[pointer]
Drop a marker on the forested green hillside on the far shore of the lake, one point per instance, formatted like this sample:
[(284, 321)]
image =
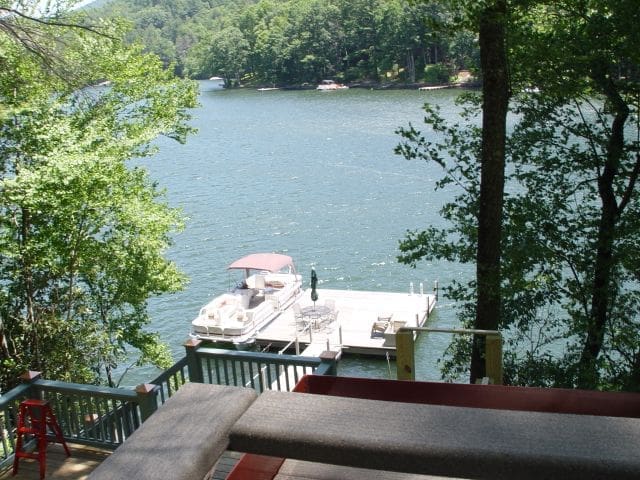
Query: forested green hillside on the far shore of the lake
[(291, 42)]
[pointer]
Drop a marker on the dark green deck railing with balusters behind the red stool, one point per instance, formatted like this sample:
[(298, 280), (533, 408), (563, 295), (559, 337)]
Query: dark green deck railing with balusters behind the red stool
[(105, 417)]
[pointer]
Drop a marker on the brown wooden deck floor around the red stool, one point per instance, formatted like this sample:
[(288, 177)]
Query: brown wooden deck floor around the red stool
[(83, 461)]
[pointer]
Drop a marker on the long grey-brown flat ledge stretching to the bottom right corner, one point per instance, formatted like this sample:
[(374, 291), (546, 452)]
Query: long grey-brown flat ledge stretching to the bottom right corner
[(441, 440)]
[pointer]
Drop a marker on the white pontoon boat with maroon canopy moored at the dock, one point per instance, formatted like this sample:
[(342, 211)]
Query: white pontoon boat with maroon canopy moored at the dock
[(270, 284)]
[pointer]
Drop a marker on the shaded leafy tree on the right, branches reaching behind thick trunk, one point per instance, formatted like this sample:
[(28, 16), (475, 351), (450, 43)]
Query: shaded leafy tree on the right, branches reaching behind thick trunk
[(570, 295)]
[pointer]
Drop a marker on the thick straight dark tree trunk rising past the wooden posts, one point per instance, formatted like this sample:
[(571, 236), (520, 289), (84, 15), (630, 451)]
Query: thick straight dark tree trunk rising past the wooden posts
[(495, 93)]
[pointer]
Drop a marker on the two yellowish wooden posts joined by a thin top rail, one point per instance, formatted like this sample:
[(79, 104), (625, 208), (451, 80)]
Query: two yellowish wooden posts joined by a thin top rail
[(405, 348)]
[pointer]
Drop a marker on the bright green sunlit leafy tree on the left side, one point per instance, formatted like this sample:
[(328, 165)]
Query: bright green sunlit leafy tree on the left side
[(81, 234)]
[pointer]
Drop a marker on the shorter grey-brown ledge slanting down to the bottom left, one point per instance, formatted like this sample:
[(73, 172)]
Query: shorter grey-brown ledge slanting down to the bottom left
[(183, 439)]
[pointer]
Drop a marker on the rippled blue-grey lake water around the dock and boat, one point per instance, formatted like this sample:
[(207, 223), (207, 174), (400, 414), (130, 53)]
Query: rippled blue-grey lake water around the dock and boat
[(307, 173)]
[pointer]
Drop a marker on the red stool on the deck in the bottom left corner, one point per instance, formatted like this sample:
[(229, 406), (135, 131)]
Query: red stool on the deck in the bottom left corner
[(33, 419)]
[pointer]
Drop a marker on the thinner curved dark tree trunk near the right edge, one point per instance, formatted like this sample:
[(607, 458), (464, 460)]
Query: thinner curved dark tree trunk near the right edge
[(601, 289)]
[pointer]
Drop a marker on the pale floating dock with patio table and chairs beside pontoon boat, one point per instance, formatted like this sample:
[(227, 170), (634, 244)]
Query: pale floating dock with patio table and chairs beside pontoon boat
[(365, 324)]
